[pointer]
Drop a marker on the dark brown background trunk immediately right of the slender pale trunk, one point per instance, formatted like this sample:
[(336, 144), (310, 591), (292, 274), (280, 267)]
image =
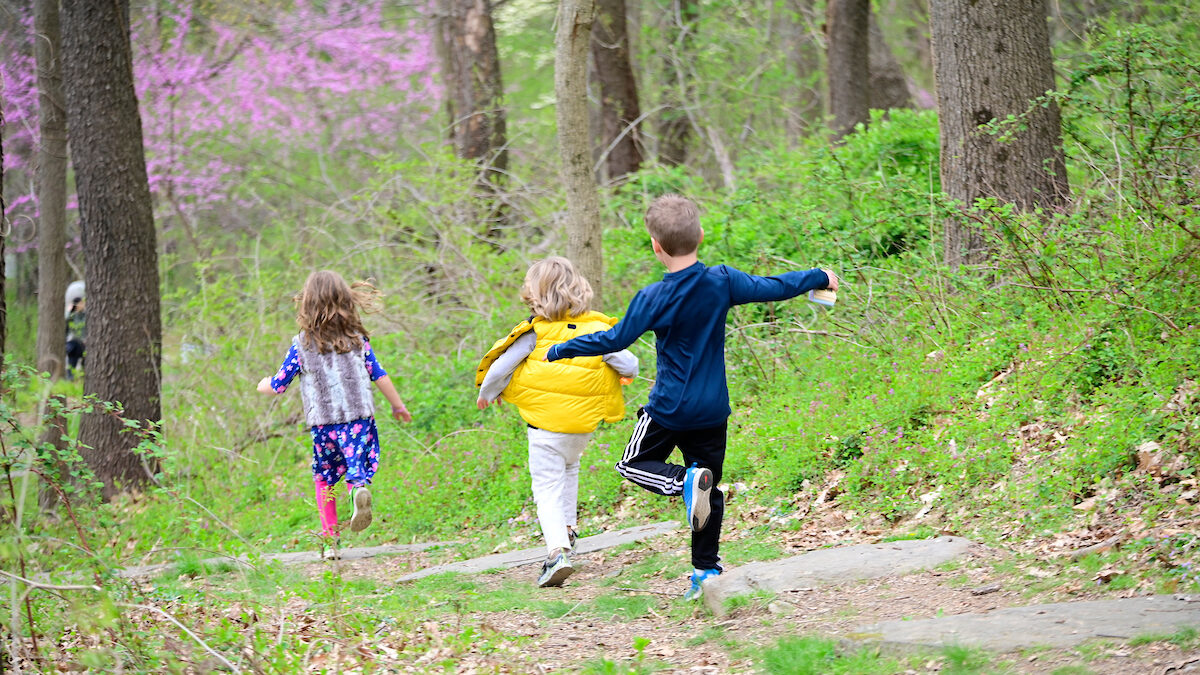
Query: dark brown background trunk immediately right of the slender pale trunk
[(619, 91)]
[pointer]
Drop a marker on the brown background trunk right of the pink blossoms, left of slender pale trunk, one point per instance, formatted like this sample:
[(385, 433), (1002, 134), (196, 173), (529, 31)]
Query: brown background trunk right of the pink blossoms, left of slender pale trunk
[(471, 68)]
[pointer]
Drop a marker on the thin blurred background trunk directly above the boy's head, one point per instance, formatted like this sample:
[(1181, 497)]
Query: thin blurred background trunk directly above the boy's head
[(675, 128)]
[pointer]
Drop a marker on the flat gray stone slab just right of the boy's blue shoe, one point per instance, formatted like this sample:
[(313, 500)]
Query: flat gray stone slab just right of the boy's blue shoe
[(832, 566)]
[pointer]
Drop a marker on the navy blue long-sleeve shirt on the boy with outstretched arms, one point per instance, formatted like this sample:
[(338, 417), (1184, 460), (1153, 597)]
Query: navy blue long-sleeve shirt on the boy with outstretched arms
[(687, 313)]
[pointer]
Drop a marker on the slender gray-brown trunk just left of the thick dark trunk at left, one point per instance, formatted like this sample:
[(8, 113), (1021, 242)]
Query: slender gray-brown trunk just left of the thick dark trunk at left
[(52, 192)]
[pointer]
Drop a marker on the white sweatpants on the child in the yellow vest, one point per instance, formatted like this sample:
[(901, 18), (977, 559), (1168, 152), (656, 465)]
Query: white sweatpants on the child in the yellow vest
[(555, 470)]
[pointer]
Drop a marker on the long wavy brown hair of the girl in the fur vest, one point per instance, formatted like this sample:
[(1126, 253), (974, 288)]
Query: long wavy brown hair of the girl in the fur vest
[(328, 312)]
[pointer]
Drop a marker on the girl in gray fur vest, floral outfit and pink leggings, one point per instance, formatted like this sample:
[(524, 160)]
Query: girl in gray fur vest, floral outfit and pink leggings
[(337, 366)]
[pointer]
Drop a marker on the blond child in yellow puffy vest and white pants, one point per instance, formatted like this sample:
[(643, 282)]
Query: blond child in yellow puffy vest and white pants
[(561, 402)]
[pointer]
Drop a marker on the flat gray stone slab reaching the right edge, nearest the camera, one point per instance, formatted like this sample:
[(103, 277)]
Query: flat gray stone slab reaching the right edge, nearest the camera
[(1060, 625)]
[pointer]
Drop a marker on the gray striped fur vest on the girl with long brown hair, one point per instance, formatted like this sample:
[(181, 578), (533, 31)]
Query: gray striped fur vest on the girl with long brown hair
[(335, 389)]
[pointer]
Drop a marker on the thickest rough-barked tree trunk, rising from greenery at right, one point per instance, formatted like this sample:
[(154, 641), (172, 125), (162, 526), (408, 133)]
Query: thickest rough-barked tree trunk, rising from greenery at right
[(992, 59)]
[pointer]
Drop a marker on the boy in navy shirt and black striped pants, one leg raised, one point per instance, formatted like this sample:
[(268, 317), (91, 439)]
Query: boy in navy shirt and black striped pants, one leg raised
[(689, 405)]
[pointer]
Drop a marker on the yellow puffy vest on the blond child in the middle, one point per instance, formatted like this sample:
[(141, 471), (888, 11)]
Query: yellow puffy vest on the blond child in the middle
[(568, 396)]
